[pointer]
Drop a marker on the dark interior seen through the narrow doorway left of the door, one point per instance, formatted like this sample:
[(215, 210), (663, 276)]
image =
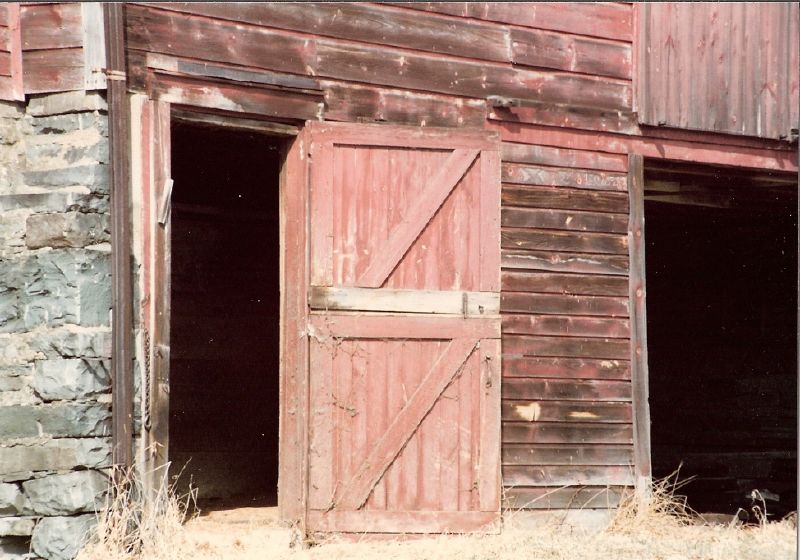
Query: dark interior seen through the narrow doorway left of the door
[(224, 356)]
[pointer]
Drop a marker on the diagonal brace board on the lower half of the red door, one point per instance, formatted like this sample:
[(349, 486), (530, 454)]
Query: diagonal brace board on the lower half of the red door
[(356, 492)]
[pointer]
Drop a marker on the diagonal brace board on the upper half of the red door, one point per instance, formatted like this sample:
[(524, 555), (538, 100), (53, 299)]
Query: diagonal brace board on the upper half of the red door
[(403, 234)]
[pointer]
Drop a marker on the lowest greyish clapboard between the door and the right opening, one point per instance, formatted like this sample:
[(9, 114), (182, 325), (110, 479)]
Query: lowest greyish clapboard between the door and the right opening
[(595, 497)]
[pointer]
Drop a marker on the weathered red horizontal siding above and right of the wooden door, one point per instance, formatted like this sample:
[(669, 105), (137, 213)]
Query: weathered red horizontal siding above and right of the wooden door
[(567, 413)]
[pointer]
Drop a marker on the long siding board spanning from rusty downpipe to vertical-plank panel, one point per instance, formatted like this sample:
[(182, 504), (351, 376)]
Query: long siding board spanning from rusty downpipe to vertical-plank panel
[(182, 35)]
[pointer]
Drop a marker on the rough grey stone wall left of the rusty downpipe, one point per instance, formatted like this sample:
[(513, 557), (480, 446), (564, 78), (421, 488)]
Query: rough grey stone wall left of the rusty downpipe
[(55, 336)]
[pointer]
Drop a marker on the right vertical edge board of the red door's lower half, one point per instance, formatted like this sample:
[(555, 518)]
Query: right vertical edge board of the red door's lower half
[(489, 469)]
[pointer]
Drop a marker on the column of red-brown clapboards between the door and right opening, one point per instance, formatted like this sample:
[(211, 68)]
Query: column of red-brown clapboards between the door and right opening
[(567, 412)]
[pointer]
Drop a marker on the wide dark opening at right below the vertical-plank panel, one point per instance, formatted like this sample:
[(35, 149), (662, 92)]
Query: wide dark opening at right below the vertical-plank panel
[(721, 265)]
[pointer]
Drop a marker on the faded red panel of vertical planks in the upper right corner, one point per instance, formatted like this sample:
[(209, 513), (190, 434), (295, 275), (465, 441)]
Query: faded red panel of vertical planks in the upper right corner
[(723, 67)]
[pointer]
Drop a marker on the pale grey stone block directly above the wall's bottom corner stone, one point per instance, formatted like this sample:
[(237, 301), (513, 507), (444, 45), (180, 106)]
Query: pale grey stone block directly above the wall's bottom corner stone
[(67, 494)]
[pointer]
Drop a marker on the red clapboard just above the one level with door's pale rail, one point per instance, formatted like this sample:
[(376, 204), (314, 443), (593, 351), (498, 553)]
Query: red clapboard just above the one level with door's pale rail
[(575, 284)]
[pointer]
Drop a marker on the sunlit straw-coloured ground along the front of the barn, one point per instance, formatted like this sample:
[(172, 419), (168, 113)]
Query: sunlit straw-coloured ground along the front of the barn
[(246, 534)]
